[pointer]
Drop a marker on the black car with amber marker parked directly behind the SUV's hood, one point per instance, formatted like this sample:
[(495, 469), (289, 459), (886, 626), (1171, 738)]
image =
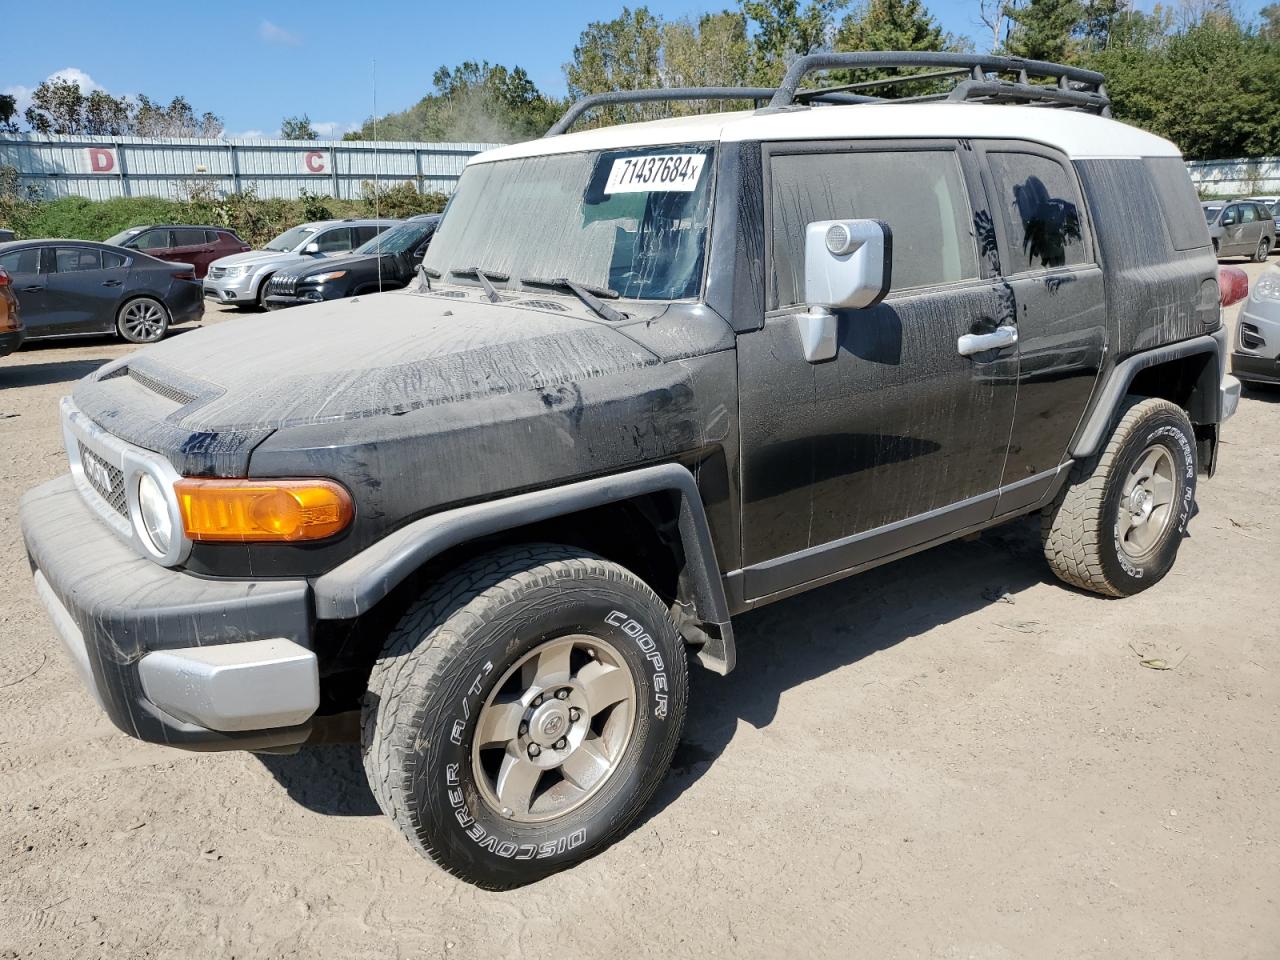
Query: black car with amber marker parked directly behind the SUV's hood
[(386, 263)]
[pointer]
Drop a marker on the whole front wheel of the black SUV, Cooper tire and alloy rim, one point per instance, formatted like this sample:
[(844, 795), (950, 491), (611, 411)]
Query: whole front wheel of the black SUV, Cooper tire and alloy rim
[(524, 712)]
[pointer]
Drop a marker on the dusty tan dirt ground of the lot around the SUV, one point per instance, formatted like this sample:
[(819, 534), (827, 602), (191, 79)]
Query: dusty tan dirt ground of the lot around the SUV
[(949, 757)]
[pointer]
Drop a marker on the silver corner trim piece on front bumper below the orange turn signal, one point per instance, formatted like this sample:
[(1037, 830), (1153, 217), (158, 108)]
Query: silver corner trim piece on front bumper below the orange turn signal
[(252, 685)]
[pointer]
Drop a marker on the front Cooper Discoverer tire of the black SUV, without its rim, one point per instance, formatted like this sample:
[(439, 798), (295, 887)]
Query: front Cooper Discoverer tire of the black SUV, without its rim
[(445, 659)]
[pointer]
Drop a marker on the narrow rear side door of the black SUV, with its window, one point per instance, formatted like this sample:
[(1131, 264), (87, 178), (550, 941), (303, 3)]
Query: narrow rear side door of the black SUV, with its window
[(1050, 262)]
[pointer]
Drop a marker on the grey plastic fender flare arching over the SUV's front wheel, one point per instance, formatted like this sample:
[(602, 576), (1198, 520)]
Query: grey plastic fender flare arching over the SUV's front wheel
[(360, 583)]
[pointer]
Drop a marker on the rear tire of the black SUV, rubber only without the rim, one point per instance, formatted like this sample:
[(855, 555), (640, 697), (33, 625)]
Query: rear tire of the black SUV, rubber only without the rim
[(1080, 529)]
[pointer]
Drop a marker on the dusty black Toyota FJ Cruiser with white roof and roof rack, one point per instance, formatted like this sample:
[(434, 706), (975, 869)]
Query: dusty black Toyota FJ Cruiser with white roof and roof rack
[(652, 377)]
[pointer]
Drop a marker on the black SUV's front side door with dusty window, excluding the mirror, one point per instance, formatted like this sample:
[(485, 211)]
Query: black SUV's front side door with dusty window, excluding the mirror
[(902, 438)]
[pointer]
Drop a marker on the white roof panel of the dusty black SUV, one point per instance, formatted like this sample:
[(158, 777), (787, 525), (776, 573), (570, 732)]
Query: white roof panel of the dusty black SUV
[(1078, 135)]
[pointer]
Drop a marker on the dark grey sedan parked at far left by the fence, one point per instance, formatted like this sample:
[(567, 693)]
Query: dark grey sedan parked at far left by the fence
[(77, 289)]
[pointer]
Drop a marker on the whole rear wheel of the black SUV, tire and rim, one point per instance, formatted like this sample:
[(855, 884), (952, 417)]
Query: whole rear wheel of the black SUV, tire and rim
[(1117, 527)]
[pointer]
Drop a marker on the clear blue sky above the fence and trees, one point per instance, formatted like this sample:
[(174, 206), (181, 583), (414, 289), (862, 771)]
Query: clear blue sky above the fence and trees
[(255, 63)]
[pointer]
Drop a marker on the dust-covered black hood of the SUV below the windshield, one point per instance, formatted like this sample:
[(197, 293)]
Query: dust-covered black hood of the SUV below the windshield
[(208, 397)]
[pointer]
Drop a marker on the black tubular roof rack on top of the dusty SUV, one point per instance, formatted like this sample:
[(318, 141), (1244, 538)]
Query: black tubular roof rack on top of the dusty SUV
[(979, 80)]
